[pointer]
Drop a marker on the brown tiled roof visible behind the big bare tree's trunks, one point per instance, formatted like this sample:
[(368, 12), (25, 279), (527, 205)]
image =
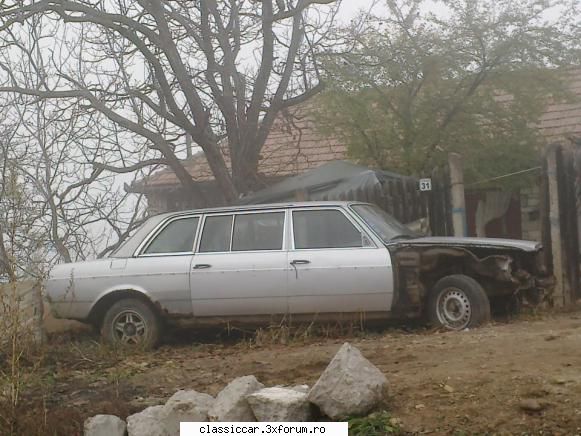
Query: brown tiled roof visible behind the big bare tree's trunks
[(293, 146)]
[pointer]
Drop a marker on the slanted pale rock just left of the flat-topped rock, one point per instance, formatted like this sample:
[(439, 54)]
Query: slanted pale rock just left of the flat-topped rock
[(231, 404)]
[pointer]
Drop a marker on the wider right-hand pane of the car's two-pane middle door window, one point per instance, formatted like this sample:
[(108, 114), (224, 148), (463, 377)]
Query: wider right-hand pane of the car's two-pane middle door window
[(258, 231)]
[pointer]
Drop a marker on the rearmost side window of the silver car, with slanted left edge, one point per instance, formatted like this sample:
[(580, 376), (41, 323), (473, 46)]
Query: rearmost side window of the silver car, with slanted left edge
[(176, 237)]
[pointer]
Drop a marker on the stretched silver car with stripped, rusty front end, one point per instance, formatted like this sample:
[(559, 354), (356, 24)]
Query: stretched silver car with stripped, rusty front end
[(307, 261)]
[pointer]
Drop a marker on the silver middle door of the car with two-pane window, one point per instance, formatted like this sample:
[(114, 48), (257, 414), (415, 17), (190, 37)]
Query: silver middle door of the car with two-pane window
[(240, 265)]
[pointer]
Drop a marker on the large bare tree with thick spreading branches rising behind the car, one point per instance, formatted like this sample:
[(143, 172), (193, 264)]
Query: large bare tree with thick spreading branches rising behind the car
[(163, 69)]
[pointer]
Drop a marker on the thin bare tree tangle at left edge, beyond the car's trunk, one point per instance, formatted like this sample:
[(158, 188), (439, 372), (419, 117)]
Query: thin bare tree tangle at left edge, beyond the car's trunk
[(54, 204)]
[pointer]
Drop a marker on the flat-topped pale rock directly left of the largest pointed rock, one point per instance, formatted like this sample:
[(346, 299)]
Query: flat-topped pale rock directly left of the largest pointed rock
[(280, 405)]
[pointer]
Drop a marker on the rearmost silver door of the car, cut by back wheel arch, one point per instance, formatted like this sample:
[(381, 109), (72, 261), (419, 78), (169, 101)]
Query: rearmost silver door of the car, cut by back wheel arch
[(162, 266)]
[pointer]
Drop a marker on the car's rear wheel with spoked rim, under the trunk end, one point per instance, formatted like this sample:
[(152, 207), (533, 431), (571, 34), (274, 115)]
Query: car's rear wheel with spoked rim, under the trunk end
[(131, 322)]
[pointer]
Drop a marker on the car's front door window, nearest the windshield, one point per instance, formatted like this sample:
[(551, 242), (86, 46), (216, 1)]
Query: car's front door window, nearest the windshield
[(325, 229)]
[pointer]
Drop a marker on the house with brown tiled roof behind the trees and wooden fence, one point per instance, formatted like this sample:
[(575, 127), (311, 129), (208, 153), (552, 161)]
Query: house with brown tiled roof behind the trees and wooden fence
[(295, 145)]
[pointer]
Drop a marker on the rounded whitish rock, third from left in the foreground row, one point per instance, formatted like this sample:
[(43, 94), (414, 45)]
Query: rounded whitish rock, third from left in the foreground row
[(188, 406)]
